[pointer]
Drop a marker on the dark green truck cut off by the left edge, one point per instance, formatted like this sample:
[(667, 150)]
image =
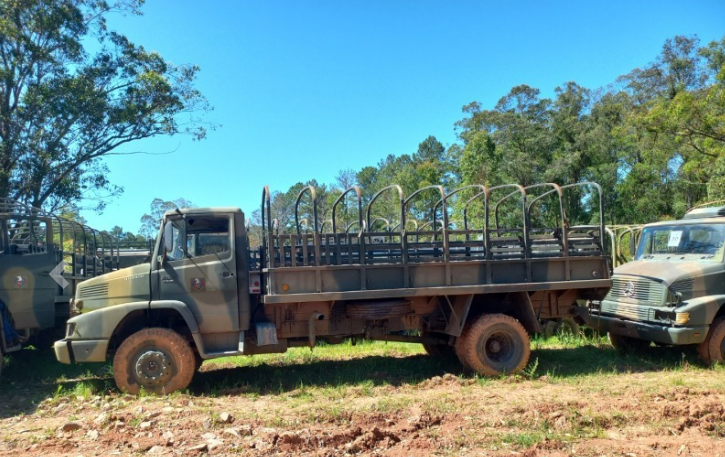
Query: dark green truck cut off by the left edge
[(33, 245)]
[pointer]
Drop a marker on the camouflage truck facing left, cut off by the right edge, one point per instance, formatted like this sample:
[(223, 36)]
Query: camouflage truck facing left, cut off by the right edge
[(673, 292)]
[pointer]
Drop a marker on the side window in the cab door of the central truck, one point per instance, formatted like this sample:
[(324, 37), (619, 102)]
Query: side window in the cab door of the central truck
[(208, 235)]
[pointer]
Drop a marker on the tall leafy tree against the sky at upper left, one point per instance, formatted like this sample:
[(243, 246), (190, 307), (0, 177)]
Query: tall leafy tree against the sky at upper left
[(62, 107)]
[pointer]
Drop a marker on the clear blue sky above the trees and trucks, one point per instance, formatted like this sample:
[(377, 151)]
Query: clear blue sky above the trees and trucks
[(303, 89)]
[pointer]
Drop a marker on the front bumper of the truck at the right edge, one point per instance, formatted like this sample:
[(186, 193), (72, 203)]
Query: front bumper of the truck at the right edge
[(650, 332)]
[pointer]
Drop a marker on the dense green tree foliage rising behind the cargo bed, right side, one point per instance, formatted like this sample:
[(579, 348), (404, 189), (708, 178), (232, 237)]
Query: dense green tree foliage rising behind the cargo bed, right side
[(654, 141)]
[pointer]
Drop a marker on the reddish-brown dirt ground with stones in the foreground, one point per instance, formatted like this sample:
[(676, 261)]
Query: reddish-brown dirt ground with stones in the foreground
[(669, 413)]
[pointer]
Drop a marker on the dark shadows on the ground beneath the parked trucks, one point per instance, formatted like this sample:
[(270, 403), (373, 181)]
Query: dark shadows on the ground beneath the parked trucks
[(32, 376)]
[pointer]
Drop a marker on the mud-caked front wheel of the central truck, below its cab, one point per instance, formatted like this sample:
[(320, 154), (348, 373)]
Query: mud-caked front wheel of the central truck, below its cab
[(158, 360)]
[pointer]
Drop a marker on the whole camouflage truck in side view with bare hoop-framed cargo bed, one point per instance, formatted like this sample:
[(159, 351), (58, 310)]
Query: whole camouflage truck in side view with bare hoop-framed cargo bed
[(472, 289)]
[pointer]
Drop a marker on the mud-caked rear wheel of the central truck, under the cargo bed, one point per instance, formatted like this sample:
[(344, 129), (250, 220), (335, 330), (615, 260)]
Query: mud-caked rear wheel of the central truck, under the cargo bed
[(496, 344)]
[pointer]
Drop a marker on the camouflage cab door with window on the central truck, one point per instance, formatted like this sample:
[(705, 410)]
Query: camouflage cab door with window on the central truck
[(200, 270)]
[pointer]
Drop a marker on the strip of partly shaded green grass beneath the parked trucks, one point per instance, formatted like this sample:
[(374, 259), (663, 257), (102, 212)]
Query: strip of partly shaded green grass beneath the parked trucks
[(336, 371)]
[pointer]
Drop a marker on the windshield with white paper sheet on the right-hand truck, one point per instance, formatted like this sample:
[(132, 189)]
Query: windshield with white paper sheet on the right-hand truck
[(691, 242)]
